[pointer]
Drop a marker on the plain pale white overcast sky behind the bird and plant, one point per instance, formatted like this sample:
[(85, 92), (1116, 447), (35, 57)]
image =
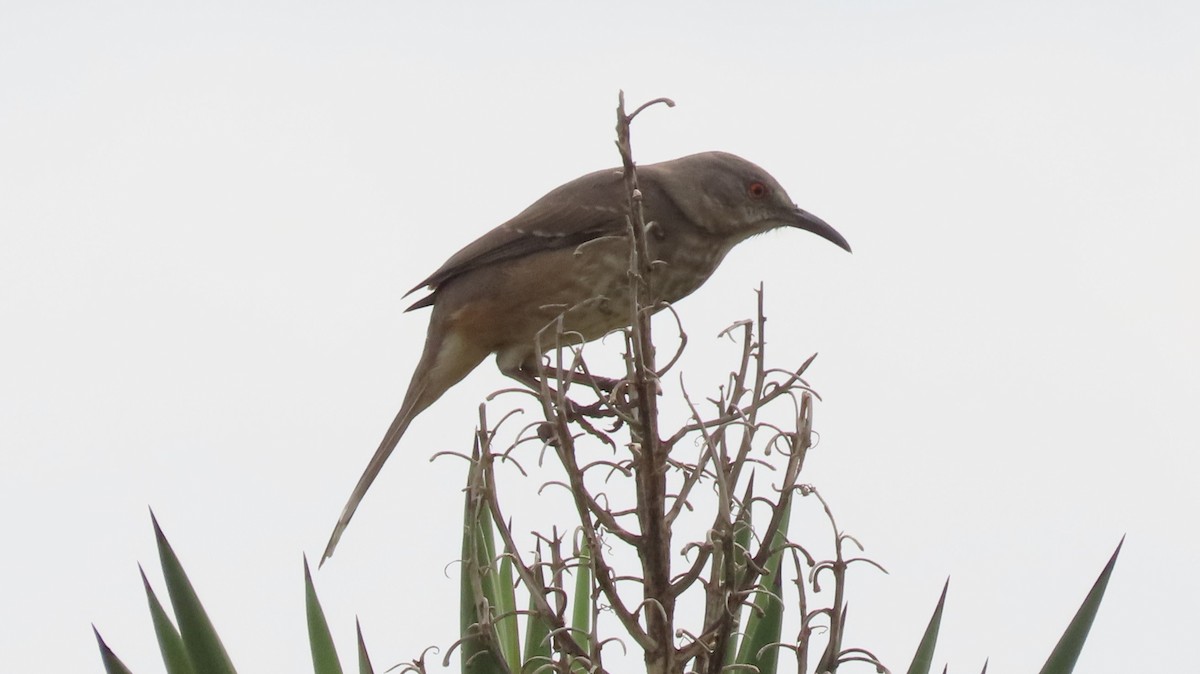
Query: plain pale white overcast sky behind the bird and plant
[(209, 214)]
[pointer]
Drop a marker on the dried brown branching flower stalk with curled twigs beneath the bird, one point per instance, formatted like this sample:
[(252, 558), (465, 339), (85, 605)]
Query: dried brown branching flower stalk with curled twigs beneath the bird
[(724, 437)]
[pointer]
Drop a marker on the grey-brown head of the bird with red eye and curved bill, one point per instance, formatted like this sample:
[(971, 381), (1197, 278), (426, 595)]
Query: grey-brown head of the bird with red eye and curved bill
[(728, 196)]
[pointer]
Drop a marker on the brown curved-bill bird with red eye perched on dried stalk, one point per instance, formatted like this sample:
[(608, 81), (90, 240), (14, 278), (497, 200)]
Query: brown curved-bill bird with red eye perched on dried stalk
[(566, 260)]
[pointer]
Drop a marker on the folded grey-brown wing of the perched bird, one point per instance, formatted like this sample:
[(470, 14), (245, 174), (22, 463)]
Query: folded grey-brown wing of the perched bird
[(585, 209)]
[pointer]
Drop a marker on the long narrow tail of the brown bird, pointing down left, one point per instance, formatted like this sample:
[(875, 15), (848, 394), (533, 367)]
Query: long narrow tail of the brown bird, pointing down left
[(446, 362)]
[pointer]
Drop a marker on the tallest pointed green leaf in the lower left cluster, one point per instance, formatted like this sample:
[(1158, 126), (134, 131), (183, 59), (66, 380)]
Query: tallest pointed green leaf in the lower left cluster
[(205, 648)]
